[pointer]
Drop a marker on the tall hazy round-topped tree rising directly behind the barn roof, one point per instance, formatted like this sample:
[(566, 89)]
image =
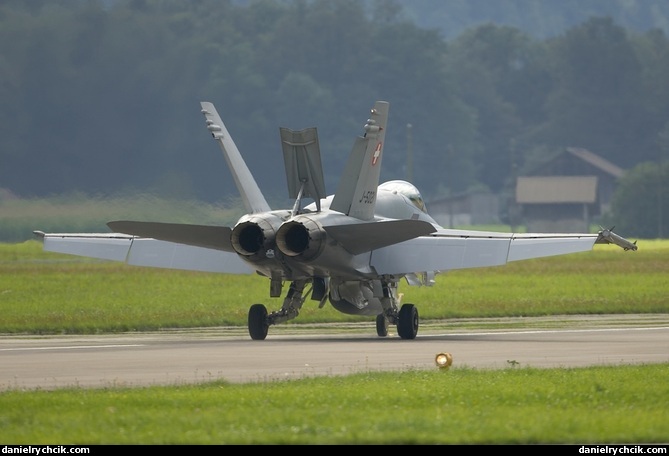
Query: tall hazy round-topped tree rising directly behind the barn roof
[(596, 98)]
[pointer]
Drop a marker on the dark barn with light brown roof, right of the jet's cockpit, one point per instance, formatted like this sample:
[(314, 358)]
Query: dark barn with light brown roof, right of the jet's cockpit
[(565, 193)]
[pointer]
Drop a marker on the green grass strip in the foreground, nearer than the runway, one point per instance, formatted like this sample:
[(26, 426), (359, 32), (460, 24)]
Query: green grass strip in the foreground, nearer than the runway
[(458, 406)]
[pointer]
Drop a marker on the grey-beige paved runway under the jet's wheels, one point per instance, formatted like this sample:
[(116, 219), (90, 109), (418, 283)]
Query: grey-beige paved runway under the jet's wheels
[(178, 357)]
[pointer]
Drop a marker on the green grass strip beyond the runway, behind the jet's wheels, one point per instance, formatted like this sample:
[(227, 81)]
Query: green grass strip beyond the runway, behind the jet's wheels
[(47, 293)]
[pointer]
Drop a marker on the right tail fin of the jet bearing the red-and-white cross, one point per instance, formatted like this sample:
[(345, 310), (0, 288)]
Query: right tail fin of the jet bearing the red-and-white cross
[(356, 194)]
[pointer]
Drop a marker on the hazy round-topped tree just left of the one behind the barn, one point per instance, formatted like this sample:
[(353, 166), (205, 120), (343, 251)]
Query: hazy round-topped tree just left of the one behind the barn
[(500, 76)]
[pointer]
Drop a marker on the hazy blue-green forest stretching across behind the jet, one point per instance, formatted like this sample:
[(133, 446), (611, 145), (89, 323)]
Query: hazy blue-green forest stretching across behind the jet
[(103, 96)]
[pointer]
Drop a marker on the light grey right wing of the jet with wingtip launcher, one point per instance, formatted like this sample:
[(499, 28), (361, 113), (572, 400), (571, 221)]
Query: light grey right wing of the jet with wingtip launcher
[(460, 249)]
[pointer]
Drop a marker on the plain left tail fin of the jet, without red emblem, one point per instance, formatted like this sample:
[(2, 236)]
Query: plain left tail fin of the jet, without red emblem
[(254, 201)]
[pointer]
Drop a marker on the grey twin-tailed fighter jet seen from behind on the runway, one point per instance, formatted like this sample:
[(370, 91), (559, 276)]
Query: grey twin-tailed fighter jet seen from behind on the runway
[(351, 248)]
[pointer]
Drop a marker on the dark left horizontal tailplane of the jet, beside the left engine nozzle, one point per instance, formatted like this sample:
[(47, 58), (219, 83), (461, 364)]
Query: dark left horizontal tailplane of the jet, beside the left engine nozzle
[(213, 237)]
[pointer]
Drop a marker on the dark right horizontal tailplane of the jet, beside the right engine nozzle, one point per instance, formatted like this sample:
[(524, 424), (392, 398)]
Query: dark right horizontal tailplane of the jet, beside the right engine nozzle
[(358, 238)]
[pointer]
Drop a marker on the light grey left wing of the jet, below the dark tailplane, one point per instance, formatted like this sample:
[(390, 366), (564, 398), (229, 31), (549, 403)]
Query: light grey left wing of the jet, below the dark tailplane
[(138, 251)]
